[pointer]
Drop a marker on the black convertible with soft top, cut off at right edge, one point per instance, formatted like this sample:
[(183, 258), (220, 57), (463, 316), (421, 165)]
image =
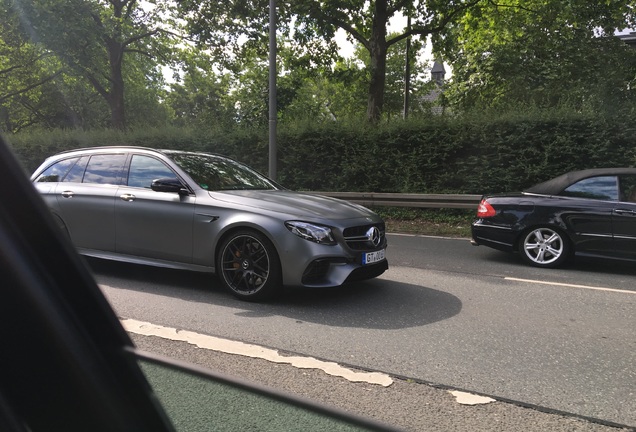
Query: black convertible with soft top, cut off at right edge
[(584, 213)]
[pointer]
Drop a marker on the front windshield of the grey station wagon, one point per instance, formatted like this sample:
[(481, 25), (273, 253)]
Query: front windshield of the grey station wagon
[(217, 173)]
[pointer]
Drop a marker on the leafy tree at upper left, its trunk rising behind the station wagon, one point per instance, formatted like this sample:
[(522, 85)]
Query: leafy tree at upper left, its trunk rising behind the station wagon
[(93, 38)]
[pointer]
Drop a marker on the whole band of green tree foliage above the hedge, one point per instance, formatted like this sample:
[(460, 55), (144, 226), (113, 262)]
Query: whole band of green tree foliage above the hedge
[(95, 63)]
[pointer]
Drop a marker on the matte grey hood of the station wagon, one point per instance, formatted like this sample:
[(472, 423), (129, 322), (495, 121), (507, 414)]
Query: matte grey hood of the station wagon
[(297, 204)]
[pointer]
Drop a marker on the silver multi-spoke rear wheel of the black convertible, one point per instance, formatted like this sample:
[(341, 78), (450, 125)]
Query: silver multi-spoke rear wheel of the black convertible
[(544, 247)]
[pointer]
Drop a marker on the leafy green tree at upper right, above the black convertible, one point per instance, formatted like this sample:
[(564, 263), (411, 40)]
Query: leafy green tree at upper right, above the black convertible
[(540, 53)]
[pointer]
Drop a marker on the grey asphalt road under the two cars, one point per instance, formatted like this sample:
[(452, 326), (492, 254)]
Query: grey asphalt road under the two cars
[(446, 314)]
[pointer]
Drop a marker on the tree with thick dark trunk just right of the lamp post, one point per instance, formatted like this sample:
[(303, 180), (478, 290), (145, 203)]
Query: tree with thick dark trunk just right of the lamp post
[(221, 23)]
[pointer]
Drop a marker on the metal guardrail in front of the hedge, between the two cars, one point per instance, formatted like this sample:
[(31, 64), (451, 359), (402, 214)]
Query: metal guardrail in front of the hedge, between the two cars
[(372, 199)]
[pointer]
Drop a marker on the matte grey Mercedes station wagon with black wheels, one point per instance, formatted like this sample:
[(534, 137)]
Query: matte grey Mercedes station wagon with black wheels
[(206, 212)]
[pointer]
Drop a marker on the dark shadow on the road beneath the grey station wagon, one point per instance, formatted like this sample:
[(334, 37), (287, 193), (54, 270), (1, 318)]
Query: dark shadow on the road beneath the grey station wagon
[(374, 304)]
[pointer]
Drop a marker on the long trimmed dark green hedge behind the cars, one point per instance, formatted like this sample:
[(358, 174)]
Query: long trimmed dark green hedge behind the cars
[(442, 155)]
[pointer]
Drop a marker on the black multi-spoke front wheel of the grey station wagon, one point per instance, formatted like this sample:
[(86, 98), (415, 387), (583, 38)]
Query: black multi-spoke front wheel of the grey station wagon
[(248, 266)]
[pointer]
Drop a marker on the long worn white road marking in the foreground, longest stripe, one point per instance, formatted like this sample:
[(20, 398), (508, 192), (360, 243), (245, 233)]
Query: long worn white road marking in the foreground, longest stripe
[(254, 351)]
